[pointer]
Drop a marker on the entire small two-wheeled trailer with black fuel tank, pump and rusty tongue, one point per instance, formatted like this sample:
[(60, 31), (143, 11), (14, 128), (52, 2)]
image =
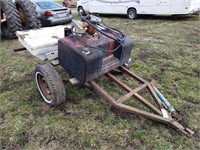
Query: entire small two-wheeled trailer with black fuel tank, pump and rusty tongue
[(87, 50)]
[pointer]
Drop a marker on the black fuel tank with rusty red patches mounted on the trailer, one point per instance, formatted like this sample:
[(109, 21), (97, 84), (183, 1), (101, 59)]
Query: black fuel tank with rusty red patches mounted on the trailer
[(82, 60)]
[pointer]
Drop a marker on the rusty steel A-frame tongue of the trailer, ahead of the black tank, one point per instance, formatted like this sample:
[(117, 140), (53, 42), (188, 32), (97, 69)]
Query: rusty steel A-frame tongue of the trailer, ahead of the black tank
[(158, 112)]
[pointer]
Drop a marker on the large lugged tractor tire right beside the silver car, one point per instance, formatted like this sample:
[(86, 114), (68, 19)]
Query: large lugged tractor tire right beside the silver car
[(29, 11)]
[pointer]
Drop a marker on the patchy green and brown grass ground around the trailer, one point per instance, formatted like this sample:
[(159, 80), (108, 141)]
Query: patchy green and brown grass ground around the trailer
[(166, 49)]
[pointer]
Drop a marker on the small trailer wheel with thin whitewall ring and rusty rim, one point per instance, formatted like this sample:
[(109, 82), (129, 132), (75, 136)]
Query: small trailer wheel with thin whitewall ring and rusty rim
[(50, 85)]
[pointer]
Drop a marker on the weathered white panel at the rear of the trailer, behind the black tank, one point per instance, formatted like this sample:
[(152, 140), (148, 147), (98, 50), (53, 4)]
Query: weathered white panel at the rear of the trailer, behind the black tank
[(43, 42)]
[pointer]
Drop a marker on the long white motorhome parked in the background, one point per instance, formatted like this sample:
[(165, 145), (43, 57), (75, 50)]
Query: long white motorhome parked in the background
[(132, 8)]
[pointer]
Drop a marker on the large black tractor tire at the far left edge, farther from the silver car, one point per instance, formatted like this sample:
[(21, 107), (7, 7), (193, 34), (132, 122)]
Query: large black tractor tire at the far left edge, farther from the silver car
[(13, 23)]
